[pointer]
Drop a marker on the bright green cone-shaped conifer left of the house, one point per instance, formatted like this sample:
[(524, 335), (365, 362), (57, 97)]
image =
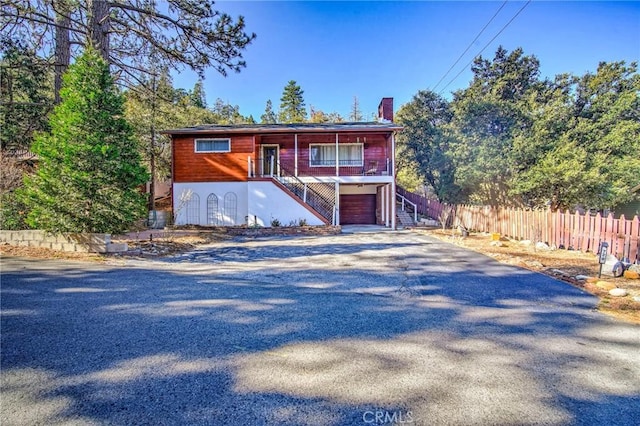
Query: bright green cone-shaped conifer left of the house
[(89, 170)]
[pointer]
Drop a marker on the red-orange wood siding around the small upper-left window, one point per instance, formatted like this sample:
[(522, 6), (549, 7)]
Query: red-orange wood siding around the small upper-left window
[(190, 166)]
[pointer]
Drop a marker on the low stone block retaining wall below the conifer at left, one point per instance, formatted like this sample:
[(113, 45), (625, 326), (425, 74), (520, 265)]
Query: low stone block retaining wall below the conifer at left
[(87, 243)]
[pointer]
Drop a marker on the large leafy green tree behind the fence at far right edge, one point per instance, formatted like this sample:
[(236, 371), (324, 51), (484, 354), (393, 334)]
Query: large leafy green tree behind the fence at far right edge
[(583, 148)]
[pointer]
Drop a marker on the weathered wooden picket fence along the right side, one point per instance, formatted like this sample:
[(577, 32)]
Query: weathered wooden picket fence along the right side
[(568, 230)]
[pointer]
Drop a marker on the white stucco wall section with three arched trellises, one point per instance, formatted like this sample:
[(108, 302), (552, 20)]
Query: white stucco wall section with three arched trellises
[(203, 190)]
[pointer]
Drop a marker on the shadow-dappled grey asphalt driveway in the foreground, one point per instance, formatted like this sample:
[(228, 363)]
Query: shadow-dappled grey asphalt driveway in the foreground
[(350, 329)]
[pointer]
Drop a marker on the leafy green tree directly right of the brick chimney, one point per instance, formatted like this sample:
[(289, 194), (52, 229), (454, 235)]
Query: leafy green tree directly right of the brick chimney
[(424, 144)]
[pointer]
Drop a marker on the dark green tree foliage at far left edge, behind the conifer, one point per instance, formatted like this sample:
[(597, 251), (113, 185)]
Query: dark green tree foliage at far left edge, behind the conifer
[(25, 95)]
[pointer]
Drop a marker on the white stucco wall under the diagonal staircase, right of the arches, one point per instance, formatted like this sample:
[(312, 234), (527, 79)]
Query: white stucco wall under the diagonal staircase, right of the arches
[(267, 202)]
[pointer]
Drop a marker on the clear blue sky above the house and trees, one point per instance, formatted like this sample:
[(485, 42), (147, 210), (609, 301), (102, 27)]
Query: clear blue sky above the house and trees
[(338, 50)]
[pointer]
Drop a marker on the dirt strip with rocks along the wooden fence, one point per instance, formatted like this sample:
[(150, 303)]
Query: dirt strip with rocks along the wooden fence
[(564, 265)]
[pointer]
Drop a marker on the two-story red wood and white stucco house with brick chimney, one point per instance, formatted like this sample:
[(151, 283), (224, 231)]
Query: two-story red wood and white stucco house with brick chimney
[(269, 174)]
